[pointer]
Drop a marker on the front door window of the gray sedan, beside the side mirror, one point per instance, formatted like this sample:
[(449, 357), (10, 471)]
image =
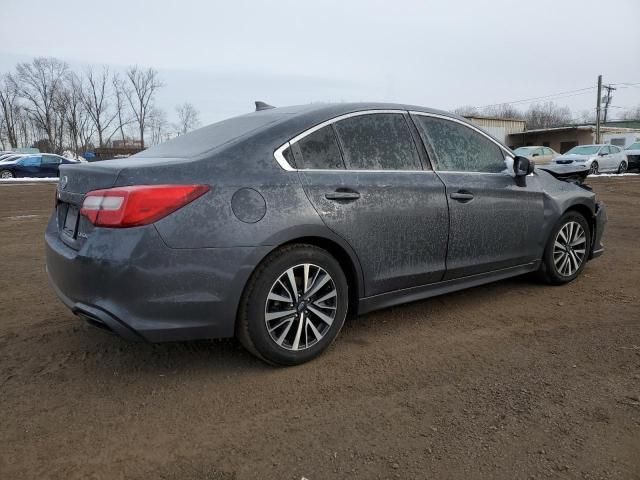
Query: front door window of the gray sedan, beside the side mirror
[(459, 148)]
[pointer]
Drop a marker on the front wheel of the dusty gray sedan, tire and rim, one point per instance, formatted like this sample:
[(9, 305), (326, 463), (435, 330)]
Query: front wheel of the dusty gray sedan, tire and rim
[(567, 249)]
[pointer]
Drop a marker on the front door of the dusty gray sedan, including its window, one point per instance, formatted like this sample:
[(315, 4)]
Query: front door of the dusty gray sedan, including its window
[(495, 223)]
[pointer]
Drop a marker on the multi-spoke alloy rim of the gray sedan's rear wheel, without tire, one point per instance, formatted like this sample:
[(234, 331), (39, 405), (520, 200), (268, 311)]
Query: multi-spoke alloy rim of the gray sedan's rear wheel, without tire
[(301, 307)]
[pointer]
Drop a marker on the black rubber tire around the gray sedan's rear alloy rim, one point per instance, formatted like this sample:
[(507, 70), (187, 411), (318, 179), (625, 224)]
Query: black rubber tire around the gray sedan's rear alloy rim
[(251, 325)]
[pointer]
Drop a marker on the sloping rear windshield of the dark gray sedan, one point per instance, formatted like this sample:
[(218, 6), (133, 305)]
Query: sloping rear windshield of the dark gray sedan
[(212, 136)]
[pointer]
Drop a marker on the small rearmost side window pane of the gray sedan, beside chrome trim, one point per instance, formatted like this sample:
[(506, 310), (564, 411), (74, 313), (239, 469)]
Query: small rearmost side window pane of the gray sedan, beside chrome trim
[(318, 150)]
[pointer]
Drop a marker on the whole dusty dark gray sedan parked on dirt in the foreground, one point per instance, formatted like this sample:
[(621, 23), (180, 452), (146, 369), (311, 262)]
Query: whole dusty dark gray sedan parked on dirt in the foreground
[(305, 213)]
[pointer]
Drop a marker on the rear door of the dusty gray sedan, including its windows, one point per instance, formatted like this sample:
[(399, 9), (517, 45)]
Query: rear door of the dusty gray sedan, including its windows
[(363, 174)]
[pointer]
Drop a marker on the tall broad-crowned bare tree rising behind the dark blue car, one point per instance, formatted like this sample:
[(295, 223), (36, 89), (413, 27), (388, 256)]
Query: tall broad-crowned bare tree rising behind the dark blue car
[(39, 84)]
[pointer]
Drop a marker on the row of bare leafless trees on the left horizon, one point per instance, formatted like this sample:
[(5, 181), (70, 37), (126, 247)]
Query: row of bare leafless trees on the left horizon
[(45, 104)]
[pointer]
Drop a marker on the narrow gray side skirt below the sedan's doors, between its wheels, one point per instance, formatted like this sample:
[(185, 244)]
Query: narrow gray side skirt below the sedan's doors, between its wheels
[(397, 297)]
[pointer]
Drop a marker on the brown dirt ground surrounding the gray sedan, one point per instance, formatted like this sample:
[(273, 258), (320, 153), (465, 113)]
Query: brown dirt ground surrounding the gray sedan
[(510, 380)]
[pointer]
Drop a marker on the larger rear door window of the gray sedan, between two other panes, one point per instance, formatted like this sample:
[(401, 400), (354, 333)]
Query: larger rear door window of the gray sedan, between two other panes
[(380, 141)]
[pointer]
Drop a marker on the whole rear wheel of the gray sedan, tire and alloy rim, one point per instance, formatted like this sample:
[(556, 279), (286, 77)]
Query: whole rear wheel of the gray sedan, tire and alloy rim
[(294, 305)]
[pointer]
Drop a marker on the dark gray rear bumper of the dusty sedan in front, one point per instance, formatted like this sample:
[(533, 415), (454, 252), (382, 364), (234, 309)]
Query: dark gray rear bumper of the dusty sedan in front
[(129, 282)]
